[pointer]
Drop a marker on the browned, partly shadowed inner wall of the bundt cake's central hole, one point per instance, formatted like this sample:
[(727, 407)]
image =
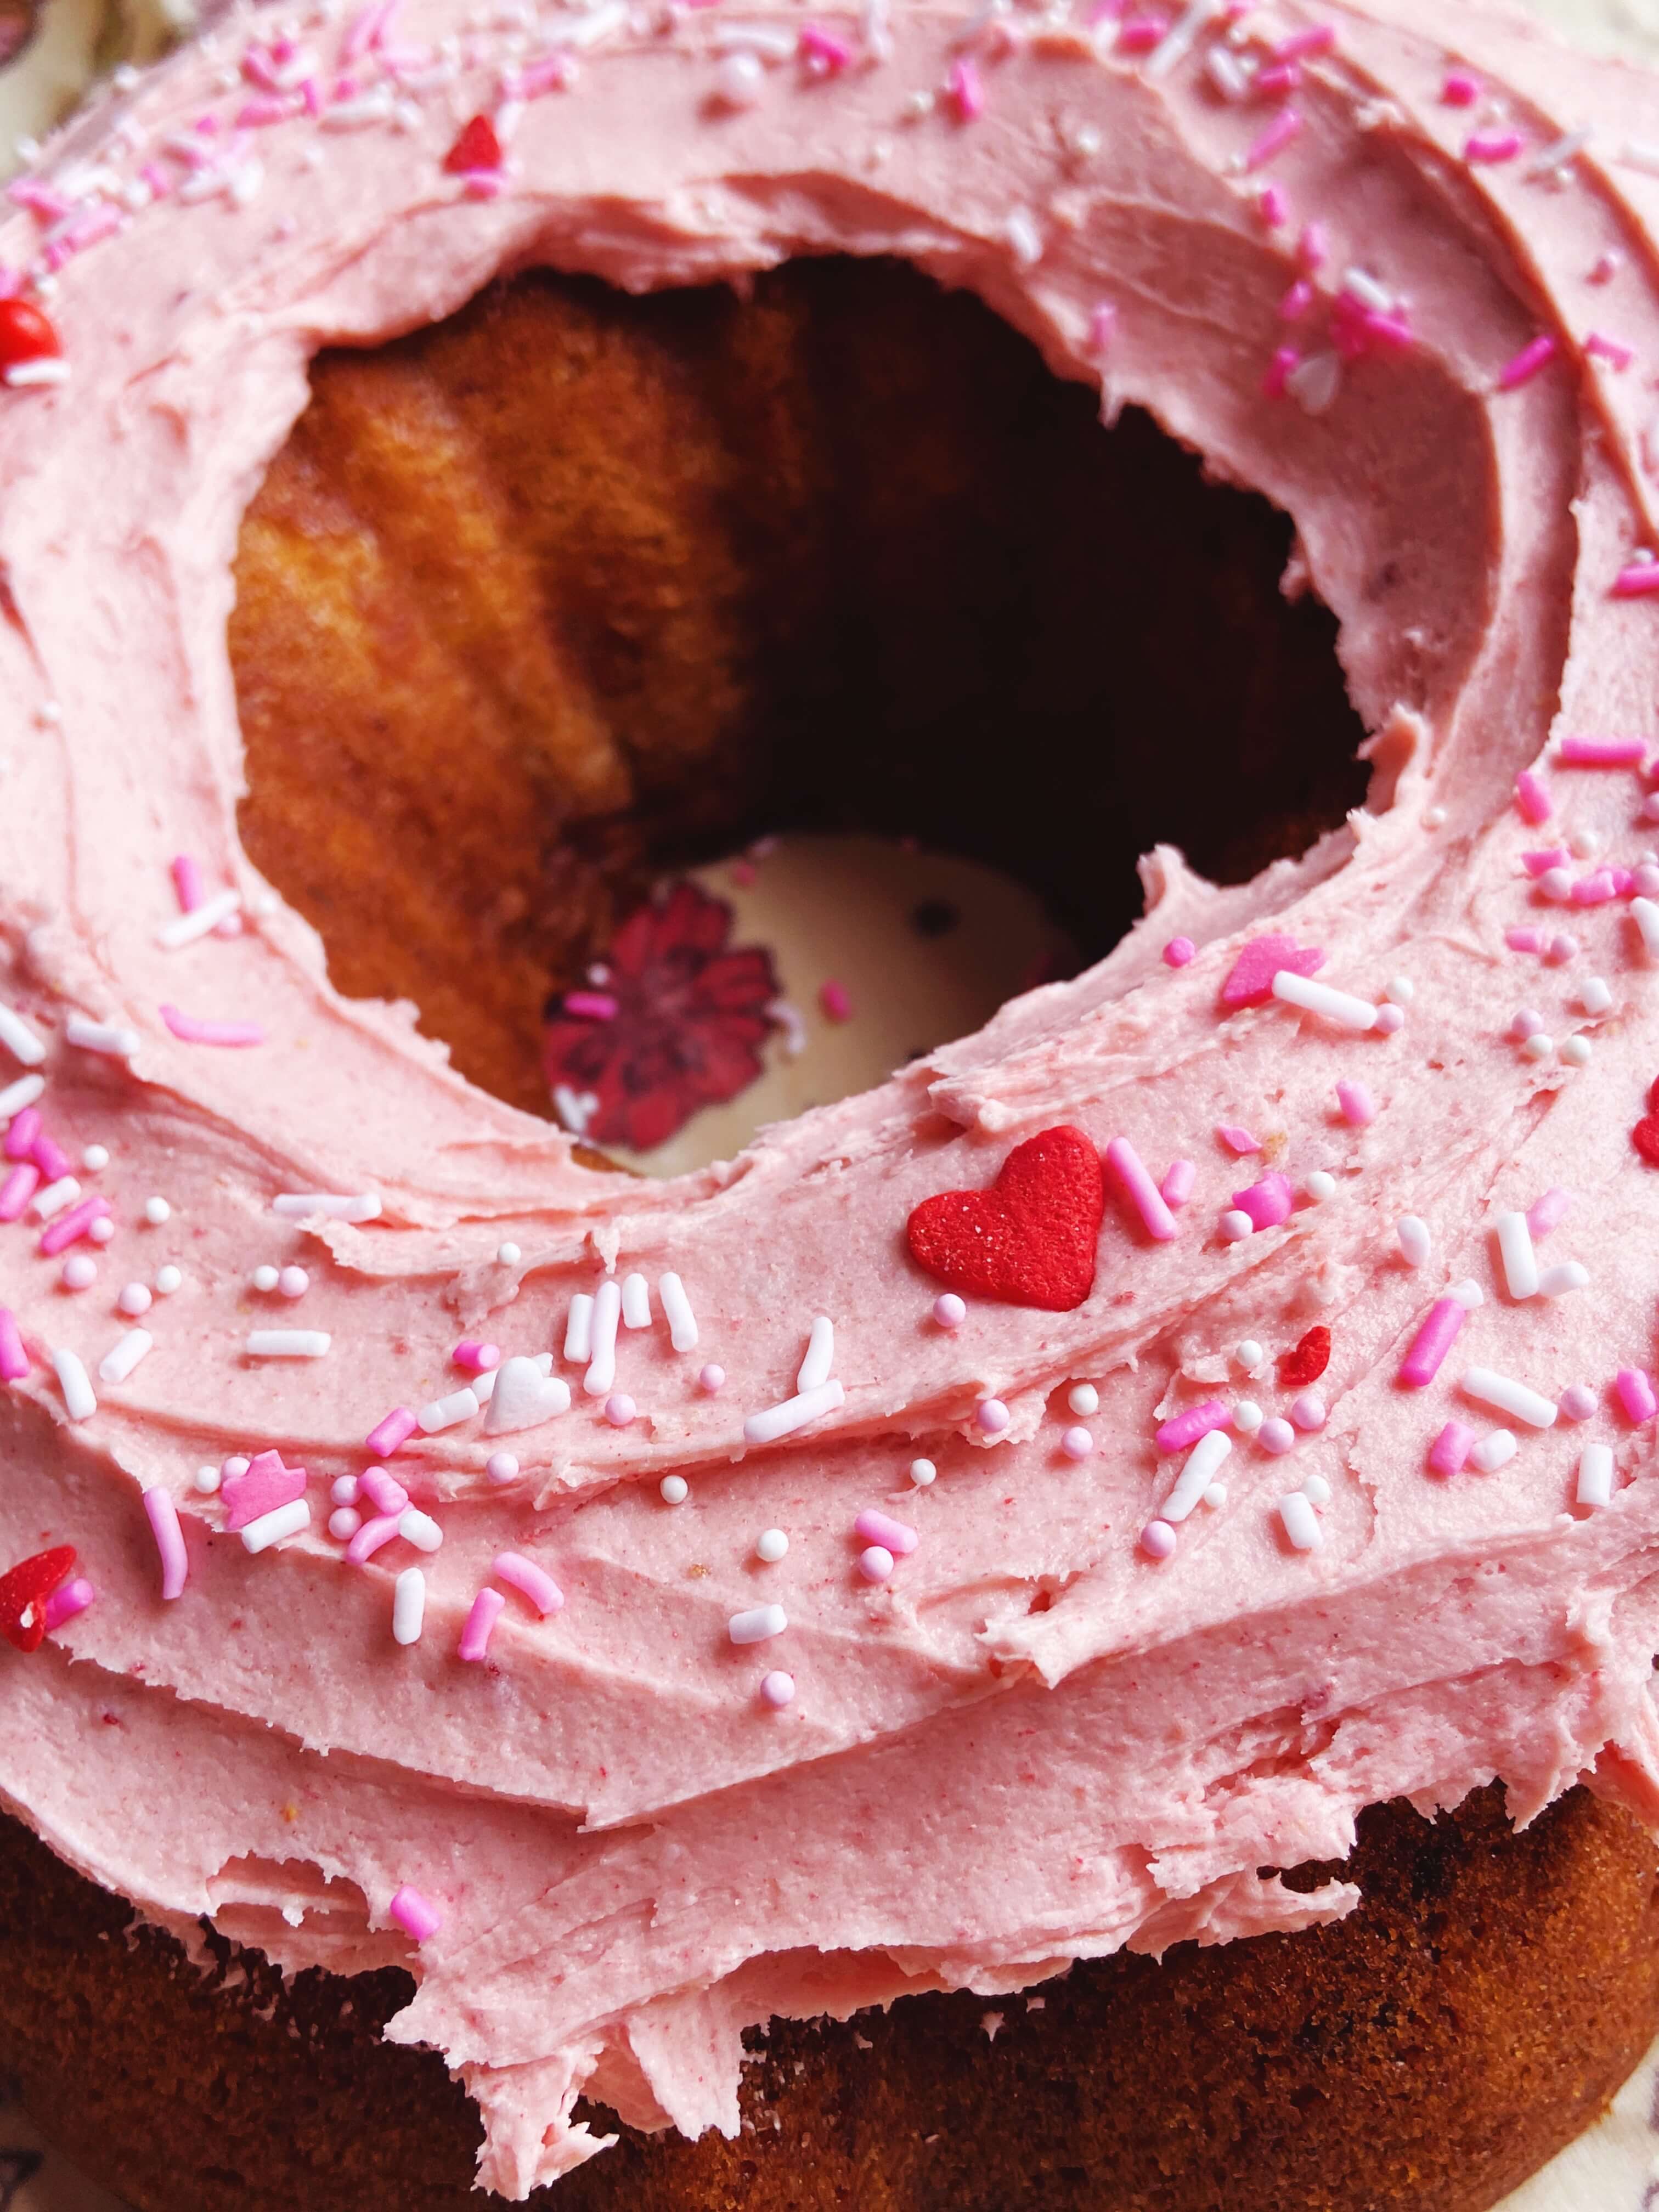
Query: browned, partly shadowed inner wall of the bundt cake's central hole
[(576, 592)]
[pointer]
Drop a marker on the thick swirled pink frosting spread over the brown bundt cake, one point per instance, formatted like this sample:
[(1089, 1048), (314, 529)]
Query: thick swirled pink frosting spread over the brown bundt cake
[(1043, 1740)]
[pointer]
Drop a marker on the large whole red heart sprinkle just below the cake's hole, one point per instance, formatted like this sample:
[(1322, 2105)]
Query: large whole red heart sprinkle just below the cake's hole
[(1032, 1238)]
